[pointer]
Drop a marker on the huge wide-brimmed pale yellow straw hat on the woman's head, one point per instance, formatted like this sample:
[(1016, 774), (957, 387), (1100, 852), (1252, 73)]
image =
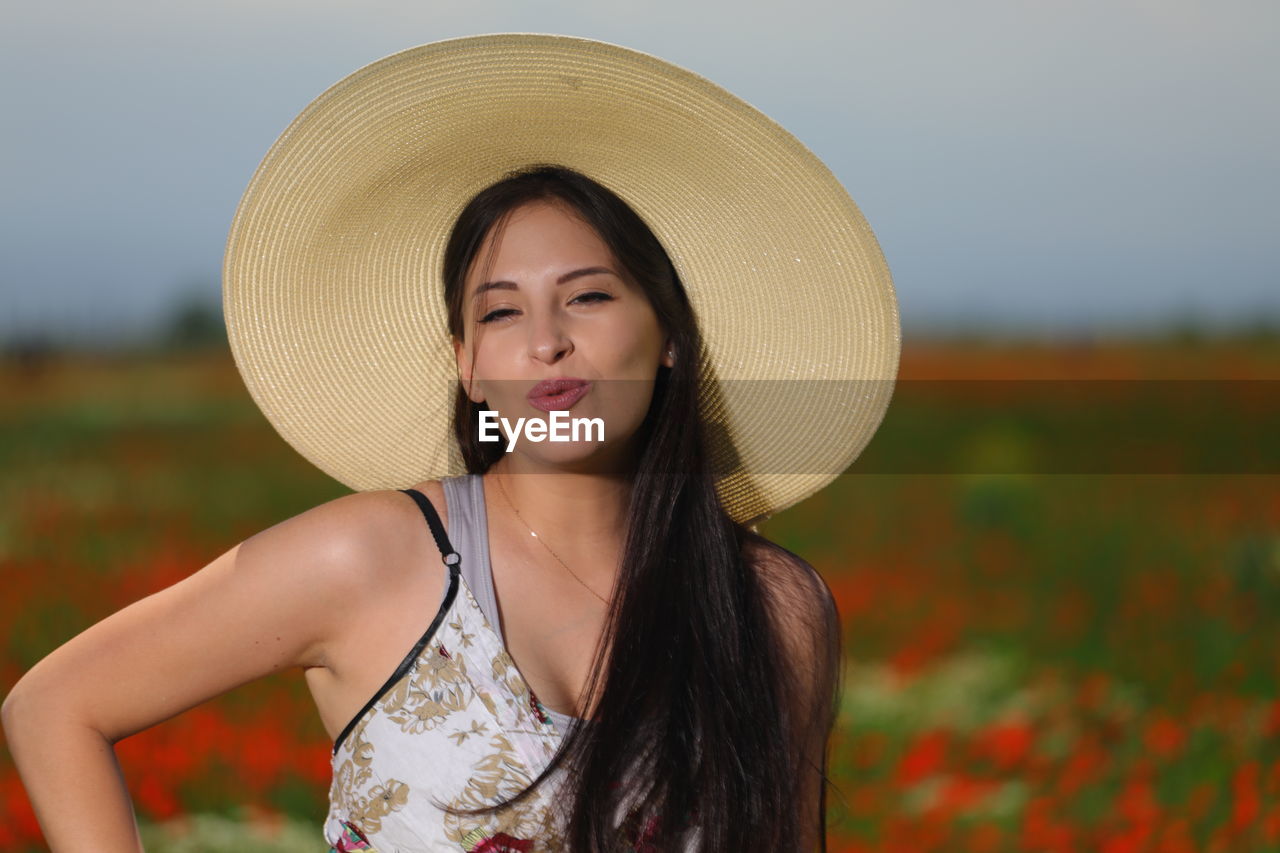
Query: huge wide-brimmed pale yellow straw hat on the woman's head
[(332, 280)]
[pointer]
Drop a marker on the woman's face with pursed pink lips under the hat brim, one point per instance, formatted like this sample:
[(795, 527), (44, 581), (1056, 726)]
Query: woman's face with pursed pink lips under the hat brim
[(556, 304)]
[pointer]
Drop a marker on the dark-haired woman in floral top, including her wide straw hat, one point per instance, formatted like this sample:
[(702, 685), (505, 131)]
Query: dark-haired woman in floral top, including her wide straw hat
[(618, 571)]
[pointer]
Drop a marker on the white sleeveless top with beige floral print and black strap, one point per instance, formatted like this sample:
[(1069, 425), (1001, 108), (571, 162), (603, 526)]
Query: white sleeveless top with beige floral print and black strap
[(455, 724)]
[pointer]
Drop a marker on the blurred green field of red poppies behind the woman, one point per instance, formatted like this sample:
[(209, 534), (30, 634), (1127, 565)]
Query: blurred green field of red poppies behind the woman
[(1060, 627)]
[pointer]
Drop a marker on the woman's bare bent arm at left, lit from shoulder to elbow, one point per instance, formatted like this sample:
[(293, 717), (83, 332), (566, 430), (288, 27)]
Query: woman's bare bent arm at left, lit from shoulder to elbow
[(264, 606)]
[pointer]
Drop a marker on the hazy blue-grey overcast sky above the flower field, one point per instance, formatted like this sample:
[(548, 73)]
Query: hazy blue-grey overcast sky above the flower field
[(1060, 163)]
